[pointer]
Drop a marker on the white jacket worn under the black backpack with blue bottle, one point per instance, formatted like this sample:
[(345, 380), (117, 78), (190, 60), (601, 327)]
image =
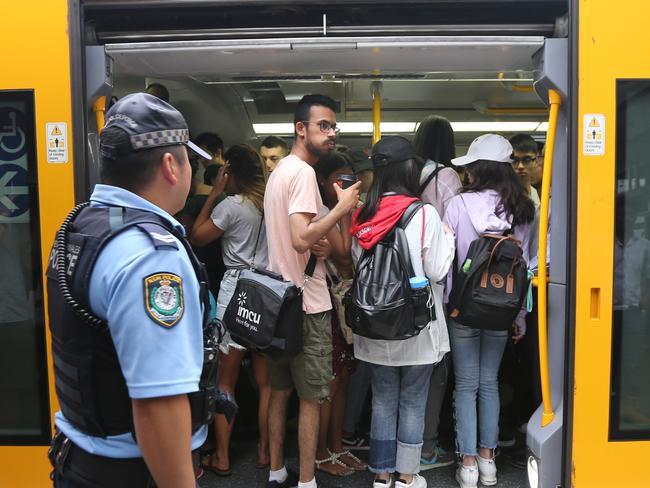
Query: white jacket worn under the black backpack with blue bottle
[(432, 343)]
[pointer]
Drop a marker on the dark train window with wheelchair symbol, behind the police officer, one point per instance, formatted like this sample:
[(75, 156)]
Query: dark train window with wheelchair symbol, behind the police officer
[(24, 409)]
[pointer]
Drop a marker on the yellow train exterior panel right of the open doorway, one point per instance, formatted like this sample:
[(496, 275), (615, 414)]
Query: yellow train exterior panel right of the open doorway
[(610, 38)]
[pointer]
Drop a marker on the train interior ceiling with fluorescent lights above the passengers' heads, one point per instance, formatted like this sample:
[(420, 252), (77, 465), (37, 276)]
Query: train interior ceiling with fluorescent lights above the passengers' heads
[(214, 94)]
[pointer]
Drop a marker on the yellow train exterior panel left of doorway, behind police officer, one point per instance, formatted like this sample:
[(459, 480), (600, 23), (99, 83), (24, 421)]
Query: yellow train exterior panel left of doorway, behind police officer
[(36, 62)]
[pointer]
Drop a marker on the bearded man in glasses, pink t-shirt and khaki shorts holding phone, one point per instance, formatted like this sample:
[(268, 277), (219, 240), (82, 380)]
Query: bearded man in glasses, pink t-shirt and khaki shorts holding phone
[(294, 231)]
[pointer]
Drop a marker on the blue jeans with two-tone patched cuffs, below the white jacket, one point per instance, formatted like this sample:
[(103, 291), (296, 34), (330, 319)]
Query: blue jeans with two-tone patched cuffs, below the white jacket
[(398, 392)]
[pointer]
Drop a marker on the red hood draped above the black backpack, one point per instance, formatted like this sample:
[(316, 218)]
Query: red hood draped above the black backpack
[(391, 209)]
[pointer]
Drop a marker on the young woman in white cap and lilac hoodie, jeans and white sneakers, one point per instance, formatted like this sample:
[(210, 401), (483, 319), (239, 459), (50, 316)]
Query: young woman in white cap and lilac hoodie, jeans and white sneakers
[(494, 202)]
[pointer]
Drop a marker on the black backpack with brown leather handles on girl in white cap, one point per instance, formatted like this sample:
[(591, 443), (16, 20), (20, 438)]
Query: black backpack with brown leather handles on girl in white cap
[(489, 288)]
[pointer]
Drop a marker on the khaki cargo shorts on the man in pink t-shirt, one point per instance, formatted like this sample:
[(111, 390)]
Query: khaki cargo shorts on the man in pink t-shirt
[(310, 372)]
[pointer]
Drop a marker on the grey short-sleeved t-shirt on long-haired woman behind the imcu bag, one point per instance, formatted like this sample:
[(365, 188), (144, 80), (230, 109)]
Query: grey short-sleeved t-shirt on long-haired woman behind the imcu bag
[(240, 221)]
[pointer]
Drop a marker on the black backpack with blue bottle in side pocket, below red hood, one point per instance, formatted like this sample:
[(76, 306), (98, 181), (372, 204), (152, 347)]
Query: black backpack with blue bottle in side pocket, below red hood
[(381, 304)]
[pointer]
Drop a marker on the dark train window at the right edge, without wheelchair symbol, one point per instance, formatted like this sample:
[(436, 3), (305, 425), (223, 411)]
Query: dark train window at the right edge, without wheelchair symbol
[(630, 403)]
